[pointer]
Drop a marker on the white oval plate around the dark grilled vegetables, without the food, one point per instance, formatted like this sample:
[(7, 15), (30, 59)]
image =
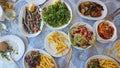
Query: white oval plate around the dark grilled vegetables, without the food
[(104, 12)]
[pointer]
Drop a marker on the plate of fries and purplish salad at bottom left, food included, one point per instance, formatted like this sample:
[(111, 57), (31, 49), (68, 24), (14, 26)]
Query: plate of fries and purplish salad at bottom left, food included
[(37, 58)]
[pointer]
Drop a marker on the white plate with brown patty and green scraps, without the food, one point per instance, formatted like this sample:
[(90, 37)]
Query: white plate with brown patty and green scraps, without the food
[(17, 45)]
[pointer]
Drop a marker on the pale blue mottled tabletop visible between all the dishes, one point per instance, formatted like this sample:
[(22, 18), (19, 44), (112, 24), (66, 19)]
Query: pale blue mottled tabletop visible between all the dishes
[(79, 57)]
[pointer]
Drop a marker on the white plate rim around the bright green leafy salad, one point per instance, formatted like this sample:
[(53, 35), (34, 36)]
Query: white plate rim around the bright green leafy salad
[(50, 2)]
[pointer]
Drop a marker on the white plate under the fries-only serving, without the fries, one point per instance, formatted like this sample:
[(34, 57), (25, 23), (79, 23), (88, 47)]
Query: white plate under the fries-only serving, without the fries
[(51, 49)]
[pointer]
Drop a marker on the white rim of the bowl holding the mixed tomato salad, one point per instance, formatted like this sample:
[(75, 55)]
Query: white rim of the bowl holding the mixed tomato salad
[(88, 26)]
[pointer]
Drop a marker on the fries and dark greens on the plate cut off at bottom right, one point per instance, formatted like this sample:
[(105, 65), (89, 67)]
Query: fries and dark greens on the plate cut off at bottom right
[(102, 63)]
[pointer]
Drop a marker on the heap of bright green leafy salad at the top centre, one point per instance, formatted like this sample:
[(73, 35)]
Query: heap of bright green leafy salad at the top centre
[(56, 15)]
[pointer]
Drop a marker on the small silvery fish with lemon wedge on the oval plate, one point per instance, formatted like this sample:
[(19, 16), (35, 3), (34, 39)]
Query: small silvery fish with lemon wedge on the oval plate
[(32, 19)]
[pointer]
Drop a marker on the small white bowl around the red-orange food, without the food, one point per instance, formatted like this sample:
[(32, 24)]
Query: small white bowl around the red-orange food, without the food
[(100, 39)]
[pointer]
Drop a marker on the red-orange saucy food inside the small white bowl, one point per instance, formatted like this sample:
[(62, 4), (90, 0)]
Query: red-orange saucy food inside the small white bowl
[(105, 30)]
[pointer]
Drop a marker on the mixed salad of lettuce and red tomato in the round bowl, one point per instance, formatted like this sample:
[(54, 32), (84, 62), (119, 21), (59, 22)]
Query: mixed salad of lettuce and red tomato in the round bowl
[(81, 36)]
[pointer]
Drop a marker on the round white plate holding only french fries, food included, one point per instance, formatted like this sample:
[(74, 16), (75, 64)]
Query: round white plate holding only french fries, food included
[(57, 43)]
